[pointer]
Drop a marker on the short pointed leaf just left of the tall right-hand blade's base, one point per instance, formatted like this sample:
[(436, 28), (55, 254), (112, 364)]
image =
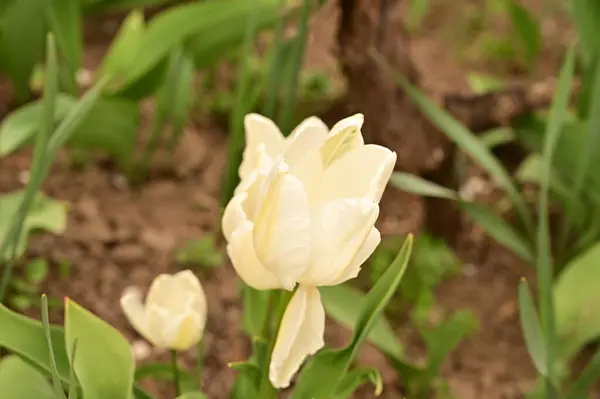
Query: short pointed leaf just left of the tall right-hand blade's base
[(530, 323)]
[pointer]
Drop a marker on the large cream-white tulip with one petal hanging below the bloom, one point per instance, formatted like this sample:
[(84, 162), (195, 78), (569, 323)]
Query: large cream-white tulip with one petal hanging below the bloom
[(304, 214)]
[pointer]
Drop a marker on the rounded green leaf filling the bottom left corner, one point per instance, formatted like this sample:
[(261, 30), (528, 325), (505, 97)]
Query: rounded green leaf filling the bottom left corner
[(19, 380)]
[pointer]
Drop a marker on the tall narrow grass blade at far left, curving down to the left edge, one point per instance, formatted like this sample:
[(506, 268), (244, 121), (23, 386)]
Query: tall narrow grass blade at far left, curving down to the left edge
[(39, 160)]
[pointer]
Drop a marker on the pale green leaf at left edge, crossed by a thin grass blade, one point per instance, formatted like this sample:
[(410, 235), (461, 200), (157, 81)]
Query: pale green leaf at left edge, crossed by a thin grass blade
[(45, 214)]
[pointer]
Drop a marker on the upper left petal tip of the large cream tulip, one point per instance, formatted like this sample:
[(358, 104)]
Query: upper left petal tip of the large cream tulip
[(260, 131)]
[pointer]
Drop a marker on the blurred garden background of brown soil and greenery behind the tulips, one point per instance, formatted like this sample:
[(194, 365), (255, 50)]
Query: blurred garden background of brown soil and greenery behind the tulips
[(138, 188)]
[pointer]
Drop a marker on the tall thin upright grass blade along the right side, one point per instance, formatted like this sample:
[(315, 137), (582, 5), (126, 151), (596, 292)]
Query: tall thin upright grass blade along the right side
[(544, 256)]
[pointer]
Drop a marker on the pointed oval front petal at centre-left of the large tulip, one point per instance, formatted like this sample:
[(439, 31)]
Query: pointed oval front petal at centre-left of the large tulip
[(282, 226)]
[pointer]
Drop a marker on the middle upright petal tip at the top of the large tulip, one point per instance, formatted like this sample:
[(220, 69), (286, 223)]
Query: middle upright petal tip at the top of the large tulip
[(307, 137)]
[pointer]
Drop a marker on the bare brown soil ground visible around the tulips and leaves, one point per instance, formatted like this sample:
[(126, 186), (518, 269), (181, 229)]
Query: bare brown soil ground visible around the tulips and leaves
[(119, 236)]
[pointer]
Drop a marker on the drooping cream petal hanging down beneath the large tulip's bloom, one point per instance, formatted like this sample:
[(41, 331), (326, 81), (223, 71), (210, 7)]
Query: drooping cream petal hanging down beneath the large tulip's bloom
[(300, 335)]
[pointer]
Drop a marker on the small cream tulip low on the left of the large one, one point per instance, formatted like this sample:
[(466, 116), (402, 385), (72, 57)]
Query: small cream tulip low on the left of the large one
[(174, 315)]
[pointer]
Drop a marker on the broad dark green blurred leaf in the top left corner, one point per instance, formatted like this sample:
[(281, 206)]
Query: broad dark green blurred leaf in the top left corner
[(22, 49)]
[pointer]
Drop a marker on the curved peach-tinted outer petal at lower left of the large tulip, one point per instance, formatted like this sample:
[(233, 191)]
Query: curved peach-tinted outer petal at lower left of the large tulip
[(243, 257)]
